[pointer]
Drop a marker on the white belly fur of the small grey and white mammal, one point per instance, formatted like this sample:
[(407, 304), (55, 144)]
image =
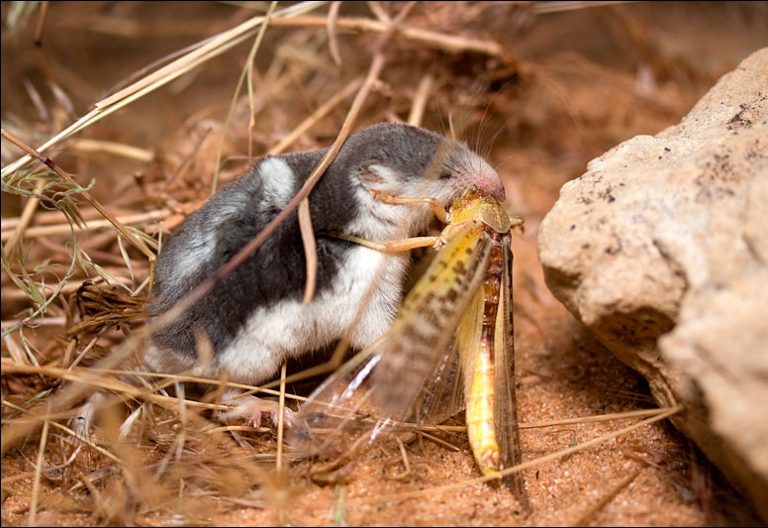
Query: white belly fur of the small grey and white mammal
[(291, 328)]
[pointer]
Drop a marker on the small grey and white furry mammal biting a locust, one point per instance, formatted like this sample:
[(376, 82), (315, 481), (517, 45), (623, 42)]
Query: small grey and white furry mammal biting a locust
[(255, 318)]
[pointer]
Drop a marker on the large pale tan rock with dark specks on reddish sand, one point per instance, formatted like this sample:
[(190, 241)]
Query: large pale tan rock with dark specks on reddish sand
[(661, 249)]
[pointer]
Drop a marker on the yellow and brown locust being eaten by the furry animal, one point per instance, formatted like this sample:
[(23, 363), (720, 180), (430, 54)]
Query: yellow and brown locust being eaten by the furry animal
[(451, 347)]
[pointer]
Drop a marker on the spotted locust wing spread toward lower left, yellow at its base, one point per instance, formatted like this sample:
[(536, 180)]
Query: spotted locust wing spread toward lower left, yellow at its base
[(377, 389)]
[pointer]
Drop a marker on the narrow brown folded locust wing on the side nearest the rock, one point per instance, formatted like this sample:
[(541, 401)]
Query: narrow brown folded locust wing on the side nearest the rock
[(505, 410)]
